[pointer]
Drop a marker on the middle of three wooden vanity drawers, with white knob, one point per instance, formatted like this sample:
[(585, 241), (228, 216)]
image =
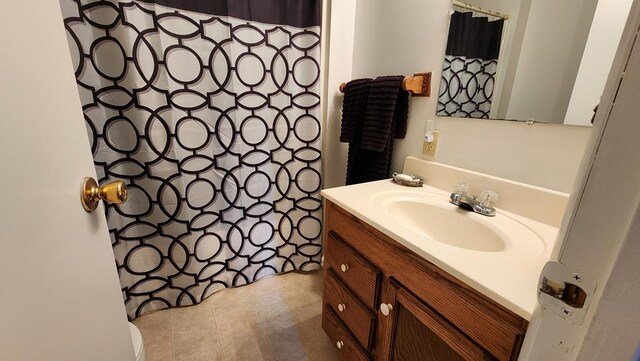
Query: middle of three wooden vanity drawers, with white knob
[(358, 318)]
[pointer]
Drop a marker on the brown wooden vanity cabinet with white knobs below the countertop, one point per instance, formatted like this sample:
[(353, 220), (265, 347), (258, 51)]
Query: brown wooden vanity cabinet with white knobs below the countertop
[(383, 302)]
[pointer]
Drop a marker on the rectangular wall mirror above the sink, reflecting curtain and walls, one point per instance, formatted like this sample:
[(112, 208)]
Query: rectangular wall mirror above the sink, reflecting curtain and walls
[(533, 60)]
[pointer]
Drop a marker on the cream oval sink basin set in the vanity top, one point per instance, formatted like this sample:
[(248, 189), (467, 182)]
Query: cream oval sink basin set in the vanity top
[(430, 217)]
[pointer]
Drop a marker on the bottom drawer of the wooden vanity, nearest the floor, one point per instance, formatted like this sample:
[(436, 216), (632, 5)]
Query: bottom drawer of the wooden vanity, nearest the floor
[(348, 347)]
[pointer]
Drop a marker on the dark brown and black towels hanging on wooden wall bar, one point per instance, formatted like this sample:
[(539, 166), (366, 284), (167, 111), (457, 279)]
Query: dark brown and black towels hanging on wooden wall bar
[(370, 129)]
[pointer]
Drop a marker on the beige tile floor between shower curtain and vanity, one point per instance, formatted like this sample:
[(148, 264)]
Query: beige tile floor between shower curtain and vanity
[(275, 319)]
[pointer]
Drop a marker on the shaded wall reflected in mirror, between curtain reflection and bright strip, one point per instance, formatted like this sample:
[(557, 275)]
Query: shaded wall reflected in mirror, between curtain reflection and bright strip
[(554, 40)]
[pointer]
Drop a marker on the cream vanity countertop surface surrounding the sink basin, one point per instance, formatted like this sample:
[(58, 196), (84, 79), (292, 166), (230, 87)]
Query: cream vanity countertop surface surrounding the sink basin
[(509, 280)]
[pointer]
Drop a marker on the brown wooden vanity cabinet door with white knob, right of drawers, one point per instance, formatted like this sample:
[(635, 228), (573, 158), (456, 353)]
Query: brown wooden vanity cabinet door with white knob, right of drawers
[(412, 331)]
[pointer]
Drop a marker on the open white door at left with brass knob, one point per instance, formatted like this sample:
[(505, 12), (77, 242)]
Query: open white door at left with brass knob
[(59, 292)]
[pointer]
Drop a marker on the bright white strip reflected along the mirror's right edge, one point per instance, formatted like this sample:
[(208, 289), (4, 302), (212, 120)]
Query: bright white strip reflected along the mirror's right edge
[(607, 26)]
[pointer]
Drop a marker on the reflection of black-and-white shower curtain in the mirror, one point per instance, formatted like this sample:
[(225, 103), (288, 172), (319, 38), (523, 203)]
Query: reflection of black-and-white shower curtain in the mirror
[(470, 65)]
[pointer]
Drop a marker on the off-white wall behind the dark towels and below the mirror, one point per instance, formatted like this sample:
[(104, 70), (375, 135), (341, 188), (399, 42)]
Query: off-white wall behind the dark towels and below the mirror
[(386, 43)]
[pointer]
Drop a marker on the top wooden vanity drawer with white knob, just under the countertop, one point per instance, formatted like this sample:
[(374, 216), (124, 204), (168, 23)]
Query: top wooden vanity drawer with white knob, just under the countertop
[(358, 273)]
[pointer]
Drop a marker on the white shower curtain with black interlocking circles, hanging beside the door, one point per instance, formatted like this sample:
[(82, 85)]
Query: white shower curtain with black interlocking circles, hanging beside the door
[(209, 111)]
